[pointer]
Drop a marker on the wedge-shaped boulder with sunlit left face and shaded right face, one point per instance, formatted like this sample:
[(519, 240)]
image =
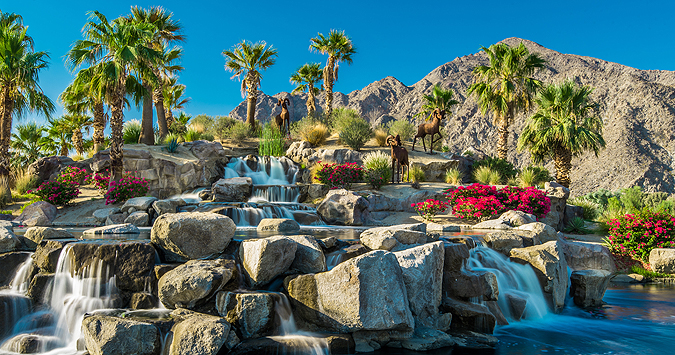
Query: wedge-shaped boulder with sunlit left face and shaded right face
[(264, 259)]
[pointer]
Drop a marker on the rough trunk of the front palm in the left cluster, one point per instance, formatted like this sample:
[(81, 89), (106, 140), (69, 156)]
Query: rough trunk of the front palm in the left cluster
[(116, 122)]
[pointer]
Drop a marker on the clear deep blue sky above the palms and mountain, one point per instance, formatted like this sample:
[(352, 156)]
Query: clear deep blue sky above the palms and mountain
[(404, 39)]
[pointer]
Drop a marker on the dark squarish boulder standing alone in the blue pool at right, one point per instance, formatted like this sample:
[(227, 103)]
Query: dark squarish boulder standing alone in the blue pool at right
[(589, 286)]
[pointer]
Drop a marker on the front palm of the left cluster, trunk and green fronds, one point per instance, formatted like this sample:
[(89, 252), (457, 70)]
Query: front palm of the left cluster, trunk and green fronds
[(117, 46)]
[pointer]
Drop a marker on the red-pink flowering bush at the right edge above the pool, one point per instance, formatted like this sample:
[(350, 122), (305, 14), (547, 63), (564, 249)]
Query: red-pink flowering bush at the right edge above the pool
[(635, 235)]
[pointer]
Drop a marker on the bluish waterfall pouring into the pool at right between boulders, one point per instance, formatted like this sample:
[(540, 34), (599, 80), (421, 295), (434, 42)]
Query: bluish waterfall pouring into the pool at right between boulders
[(515, 281)]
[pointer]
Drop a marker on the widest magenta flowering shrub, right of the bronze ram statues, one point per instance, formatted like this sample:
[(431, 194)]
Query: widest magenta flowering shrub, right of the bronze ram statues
[(481, 202)]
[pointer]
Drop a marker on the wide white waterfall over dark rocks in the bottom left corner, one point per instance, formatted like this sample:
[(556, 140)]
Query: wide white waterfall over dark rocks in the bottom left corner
[(73, 294)]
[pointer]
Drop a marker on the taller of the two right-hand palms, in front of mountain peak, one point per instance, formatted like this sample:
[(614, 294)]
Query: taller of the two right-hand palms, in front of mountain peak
[(505, 86)]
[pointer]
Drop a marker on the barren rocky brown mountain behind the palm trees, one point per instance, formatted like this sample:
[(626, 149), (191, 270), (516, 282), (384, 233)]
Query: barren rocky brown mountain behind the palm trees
[(637, 107)]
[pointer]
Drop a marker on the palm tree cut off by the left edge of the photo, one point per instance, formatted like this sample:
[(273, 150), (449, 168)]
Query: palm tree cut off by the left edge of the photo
[(20, 91)]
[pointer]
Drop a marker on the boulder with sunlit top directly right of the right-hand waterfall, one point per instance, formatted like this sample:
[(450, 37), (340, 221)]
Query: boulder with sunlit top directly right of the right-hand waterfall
[(550, 266)]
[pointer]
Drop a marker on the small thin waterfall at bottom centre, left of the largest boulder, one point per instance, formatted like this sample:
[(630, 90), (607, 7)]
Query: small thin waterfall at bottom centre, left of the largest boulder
[(289, 333)]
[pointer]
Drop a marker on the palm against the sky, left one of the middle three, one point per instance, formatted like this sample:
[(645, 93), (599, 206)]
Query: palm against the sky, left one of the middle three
[(248, 60)]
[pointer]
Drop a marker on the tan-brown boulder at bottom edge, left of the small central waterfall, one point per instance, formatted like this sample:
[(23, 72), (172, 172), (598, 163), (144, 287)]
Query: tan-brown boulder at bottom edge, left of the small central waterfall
[(200, 334)]
